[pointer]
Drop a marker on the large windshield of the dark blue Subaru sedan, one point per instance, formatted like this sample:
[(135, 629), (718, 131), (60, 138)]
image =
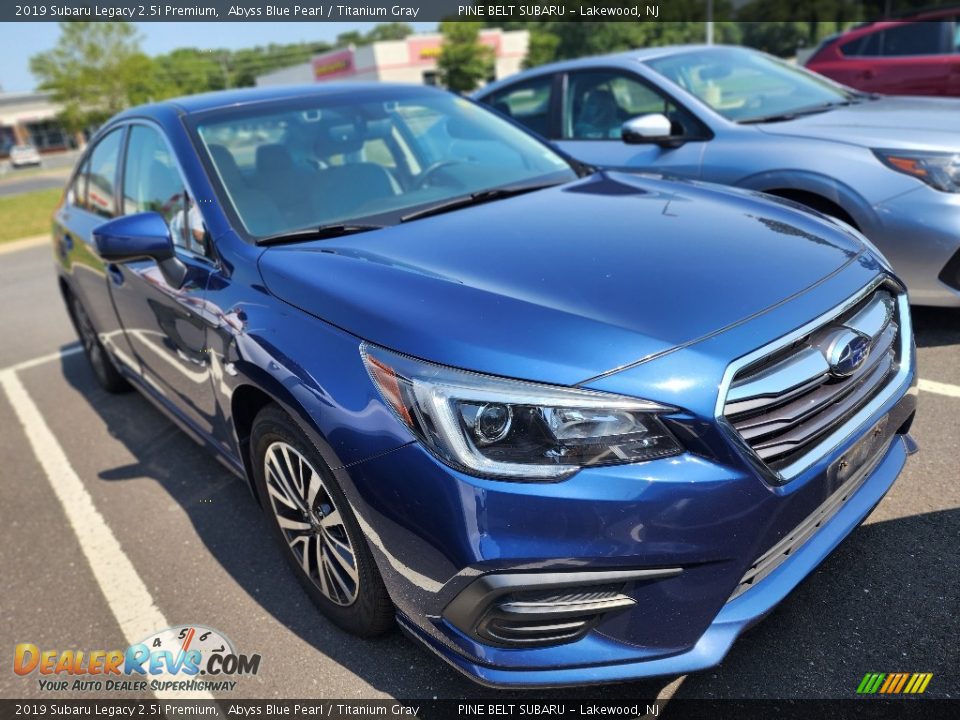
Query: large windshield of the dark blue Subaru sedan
[(370, 158)]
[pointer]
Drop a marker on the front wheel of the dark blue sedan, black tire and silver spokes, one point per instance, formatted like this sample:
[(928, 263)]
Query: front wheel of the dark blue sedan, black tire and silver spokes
[(317, 553)]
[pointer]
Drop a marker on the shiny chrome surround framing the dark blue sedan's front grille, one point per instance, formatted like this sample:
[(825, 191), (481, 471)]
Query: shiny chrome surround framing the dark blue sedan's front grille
[(894, 387)]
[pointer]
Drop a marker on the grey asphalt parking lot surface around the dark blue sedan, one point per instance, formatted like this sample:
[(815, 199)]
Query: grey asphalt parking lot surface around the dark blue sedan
[(885, 601)]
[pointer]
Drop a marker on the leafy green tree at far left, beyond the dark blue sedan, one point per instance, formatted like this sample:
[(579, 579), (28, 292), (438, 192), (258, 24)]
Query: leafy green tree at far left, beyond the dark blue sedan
[(96, 70)]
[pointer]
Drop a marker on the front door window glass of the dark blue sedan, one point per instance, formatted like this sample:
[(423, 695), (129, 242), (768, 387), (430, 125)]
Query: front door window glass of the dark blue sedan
[(152, 183)]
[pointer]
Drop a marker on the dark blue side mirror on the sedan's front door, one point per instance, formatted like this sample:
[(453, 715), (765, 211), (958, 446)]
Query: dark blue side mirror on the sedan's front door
[(140, 237)]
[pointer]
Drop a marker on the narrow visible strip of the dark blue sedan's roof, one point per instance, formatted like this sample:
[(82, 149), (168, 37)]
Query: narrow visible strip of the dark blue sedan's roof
[(245, 96)]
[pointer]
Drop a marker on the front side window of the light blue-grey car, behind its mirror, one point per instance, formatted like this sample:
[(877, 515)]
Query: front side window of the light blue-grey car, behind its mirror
[(598, 103)]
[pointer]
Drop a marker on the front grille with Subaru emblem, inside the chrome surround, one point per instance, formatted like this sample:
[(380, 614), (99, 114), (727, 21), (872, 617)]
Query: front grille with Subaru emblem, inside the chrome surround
[(786, 402)]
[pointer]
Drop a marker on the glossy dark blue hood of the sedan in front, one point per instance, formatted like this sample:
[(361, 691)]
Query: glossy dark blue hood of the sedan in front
[(563, 284)]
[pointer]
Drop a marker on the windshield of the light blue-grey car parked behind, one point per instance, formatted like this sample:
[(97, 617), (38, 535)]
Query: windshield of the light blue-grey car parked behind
[(747, 86)]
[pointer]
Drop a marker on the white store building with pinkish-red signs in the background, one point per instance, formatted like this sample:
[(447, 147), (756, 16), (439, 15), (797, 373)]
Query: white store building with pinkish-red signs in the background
[(412, 60)]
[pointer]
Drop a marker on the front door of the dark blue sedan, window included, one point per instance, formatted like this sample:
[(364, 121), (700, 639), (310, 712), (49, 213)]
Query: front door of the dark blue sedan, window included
[(166, 325)]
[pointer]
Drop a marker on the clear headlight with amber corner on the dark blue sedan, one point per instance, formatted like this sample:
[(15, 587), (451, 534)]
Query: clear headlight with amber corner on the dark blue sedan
[(512, 429)]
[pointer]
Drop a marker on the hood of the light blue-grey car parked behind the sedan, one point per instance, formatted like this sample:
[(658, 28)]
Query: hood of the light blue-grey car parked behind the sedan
[(905, 123)]
